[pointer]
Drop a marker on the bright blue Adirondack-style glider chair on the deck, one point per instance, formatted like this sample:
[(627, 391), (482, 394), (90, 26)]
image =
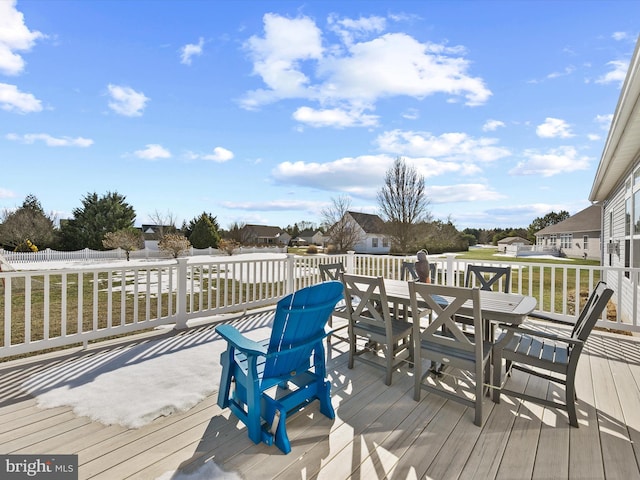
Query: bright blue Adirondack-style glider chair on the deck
[(290, 365)]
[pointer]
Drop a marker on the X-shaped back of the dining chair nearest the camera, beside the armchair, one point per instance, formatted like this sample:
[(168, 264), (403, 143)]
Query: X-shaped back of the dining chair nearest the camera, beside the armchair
[(445, 302)]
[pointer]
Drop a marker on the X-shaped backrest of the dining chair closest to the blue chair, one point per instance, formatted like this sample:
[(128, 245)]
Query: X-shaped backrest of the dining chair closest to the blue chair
[(372, 307)]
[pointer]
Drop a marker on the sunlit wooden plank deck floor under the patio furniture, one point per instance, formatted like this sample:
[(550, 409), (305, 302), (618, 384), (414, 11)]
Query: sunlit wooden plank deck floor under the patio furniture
[(379, 431)]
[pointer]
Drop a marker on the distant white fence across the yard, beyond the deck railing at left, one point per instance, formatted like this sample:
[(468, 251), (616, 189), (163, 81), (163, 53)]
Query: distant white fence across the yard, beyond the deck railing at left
[(49, 255)]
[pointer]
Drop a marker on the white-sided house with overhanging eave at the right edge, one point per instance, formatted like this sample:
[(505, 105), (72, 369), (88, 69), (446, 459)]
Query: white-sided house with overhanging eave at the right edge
[(616, 188)]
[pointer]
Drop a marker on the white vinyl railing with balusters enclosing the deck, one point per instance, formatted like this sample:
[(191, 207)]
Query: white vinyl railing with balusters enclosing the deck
[(42, 309)]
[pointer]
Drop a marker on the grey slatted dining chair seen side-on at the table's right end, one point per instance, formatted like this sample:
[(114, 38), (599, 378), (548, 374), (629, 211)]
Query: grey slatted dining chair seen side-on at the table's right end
[(536, 352)]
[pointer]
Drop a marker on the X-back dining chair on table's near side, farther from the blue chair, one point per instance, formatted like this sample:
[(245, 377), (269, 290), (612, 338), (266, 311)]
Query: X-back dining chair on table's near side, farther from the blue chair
[(443, 341)]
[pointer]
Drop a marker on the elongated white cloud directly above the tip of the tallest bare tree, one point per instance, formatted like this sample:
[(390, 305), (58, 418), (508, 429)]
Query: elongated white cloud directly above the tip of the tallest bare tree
[(452, 146)]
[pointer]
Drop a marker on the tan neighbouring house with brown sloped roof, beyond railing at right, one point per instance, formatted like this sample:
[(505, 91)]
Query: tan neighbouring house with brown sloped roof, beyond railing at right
[(578, 236)]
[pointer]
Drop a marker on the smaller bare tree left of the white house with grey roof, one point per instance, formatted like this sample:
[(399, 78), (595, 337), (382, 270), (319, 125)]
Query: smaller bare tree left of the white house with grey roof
[(343, 232)]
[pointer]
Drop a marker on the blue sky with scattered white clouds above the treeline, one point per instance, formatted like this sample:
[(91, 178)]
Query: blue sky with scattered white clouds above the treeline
[(263, 112)]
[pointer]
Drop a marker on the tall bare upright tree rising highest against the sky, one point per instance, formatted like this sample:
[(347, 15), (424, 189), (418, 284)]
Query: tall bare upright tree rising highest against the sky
[(403, 203)]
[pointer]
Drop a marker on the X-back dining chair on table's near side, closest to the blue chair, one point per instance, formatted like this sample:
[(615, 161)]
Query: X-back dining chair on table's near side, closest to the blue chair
[(372, 321)]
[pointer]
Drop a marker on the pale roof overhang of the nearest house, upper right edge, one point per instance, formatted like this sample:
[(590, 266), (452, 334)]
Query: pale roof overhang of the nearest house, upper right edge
[(623, 142)]
